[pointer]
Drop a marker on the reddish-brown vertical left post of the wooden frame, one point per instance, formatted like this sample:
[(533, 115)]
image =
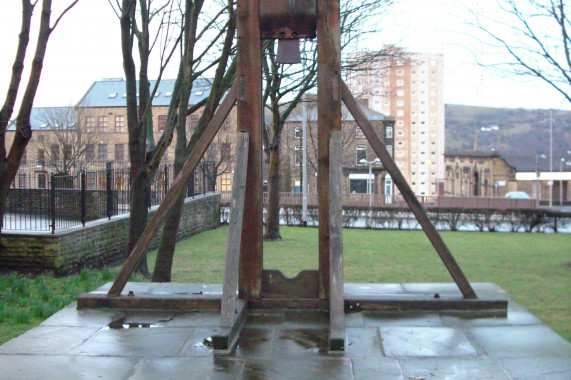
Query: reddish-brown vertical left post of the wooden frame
[(249, 78)]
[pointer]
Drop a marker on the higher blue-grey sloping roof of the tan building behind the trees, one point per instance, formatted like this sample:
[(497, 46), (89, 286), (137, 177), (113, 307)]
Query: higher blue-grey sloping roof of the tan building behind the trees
[(110, 92)]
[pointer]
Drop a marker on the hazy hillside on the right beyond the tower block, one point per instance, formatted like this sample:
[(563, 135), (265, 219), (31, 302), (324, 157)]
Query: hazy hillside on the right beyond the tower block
[(510, 131)]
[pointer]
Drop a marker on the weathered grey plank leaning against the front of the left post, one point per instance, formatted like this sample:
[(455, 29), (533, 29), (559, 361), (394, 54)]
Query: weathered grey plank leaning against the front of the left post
[(230, 285)]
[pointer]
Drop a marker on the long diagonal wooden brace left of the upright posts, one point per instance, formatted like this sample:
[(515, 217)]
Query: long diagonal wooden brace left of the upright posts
[(177, 187)]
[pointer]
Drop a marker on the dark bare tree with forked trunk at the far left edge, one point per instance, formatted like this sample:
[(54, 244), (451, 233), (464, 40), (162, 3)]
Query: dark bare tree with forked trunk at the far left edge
[(10, 162)]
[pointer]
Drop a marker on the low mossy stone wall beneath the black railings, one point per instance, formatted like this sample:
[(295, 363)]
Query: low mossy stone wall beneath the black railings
[(99, 243)]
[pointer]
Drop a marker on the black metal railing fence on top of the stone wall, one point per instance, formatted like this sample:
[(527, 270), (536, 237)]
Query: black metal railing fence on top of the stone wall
[(43, 201)]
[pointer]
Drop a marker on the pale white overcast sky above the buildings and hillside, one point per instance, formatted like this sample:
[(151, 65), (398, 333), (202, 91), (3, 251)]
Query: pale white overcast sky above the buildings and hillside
[(85, 48)]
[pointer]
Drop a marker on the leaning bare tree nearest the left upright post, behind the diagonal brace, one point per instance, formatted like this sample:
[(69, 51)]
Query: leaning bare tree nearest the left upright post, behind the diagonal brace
[(194, 62)]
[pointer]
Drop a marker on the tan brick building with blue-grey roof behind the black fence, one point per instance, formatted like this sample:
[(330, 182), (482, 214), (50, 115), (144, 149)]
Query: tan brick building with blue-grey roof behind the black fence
[(101, 117)]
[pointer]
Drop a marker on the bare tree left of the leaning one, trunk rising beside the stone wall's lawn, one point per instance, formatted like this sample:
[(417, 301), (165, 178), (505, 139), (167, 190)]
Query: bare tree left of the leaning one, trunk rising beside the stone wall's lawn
[(137, 25)]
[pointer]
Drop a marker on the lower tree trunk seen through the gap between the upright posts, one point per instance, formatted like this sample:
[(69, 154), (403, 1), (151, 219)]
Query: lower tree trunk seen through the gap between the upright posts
[(273, 211)]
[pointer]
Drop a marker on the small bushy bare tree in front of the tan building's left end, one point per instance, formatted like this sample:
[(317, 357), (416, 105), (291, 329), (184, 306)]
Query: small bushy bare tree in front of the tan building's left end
[(66, 142)]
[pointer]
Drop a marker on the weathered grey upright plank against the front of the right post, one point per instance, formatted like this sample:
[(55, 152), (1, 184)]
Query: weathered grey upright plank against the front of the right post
[(336, 295)]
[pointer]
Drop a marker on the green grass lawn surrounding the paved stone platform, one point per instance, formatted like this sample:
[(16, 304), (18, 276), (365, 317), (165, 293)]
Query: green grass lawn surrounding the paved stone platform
[(533, 268)]
